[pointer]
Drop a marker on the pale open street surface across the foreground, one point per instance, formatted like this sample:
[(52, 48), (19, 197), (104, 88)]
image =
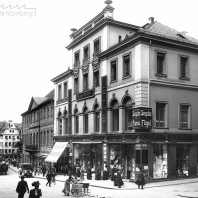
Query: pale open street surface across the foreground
[(9, 182)]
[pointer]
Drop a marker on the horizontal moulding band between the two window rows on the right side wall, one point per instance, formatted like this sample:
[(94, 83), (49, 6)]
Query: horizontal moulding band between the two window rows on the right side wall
[(173, 84)]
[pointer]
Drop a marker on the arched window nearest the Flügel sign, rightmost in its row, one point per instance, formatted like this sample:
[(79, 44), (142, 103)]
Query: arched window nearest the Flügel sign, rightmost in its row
[(127, 103)]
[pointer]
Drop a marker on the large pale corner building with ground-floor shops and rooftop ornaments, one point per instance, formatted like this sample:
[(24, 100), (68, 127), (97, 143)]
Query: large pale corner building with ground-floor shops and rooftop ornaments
[(130, 99)]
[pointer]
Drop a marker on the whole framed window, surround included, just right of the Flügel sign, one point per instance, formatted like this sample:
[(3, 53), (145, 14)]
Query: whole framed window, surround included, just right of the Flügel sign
[(161, 115)]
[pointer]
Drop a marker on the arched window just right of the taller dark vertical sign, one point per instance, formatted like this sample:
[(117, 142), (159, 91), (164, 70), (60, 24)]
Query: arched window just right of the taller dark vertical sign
[(115, 115)]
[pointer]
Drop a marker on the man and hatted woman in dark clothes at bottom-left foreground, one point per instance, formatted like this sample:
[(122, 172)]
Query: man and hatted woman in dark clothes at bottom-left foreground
[(22, 187)]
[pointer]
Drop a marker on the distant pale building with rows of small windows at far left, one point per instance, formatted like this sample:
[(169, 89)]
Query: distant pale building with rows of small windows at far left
[(9, 136)]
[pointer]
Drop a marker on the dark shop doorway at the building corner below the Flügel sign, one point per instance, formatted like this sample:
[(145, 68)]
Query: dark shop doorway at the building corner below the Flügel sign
[(141, 160)]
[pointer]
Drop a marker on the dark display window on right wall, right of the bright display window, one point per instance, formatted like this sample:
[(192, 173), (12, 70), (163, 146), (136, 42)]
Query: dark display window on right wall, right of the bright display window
[(183, 160)]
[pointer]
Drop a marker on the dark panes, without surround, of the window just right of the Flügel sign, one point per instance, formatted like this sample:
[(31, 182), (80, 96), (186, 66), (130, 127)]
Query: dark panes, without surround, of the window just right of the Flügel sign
[(160, 114)]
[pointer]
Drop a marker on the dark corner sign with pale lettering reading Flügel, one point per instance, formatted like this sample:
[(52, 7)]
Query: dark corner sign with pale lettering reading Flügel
[(142, 118)]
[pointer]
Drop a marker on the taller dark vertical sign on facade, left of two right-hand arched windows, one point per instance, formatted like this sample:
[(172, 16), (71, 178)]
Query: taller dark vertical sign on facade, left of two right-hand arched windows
[(104, 104)]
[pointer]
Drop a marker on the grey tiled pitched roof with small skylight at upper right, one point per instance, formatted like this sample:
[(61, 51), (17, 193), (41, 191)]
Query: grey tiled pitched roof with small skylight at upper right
[(163, 30)]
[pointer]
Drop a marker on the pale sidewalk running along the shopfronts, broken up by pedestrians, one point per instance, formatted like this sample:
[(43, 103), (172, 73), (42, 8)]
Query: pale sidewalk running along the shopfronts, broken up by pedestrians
[(108, 184)]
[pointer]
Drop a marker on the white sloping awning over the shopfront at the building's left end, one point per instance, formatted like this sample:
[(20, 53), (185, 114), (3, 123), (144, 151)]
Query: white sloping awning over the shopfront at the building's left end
[(56, 152)]
